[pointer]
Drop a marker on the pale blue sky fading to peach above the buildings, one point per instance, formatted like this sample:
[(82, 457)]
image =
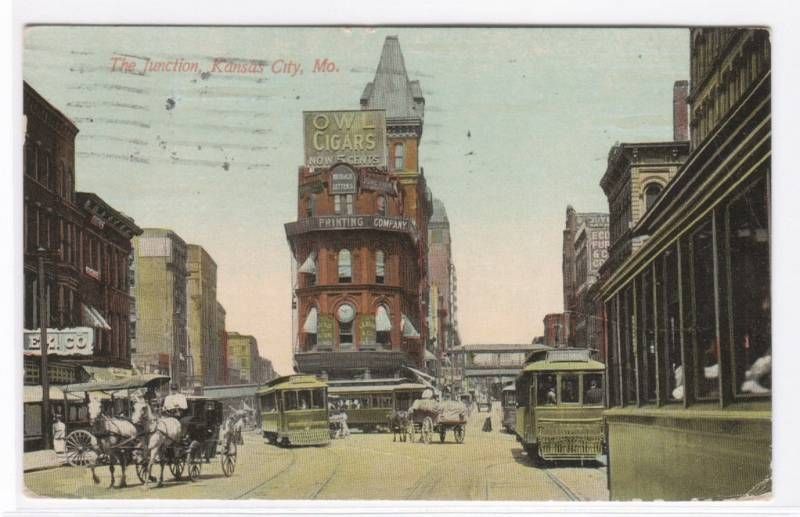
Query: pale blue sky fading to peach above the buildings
[(543, 107)]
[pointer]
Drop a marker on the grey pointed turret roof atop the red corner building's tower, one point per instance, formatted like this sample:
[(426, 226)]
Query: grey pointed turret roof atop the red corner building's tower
[(391, 90)]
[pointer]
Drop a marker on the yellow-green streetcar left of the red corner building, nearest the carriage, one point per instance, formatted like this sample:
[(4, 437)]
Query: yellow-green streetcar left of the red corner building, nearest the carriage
[(294, 410)]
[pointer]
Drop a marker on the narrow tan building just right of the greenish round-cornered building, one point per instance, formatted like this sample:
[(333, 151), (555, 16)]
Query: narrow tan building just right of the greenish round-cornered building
[(202, 322)]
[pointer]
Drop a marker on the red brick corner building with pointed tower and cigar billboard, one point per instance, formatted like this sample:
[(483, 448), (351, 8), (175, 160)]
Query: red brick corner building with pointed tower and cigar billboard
[(360, 239)]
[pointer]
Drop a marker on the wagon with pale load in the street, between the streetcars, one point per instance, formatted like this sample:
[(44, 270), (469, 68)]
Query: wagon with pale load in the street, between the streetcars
[(428, 417)]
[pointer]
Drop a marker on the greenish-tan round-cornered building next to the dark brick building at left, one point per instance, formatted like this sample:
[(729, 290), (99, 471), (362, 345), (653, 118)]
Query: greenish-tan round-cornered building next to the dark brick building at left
[(161, 303)]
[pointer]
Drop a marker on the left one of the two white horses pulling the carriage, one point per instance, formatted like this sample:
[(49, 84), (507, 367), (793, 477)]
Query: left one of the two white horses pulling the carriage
[(112, 435)]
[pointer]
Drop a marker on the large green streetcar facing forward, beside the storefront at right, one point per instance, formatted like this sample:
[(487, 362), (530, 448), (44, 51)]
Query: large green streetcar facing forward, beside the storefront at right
[(560, 402)]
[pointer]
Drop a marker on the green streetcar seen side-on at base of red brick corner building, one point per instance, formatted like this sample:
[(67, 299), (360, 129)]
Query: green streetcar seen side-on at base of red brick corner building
[(370, 404)]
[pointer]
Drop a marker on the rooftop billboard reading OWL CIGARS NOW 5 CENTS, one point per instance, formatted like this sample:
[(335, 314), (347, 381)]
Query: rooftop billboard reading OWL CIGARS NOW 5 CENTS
[(356, 137)]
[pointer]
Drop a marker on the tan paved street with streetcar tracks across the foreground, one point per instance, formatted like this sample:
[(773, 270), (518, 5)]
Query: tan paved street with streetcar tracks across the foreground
[(488, 466)]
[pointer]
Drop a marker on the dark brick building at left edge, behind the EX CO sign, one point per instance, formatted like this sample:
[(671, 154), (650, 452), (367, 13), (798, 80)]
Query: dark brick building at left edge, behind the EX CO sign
[(88, 244)]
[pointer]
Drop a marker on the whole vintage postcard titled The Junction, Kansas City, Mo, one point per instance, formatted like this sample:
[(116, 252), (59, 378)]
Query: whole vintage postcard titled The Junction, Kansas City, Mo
[(396, 263)]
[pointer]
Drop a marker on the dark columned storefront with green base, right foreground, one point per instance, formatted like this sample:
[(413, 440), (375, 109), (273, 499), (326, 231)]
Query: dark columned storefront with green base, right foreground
[(688, 337)]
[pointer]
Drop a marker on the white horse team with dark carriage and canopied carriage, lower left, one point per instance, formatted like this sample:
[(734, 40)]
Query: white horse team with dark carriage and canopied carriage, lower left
[(125, 429)]
